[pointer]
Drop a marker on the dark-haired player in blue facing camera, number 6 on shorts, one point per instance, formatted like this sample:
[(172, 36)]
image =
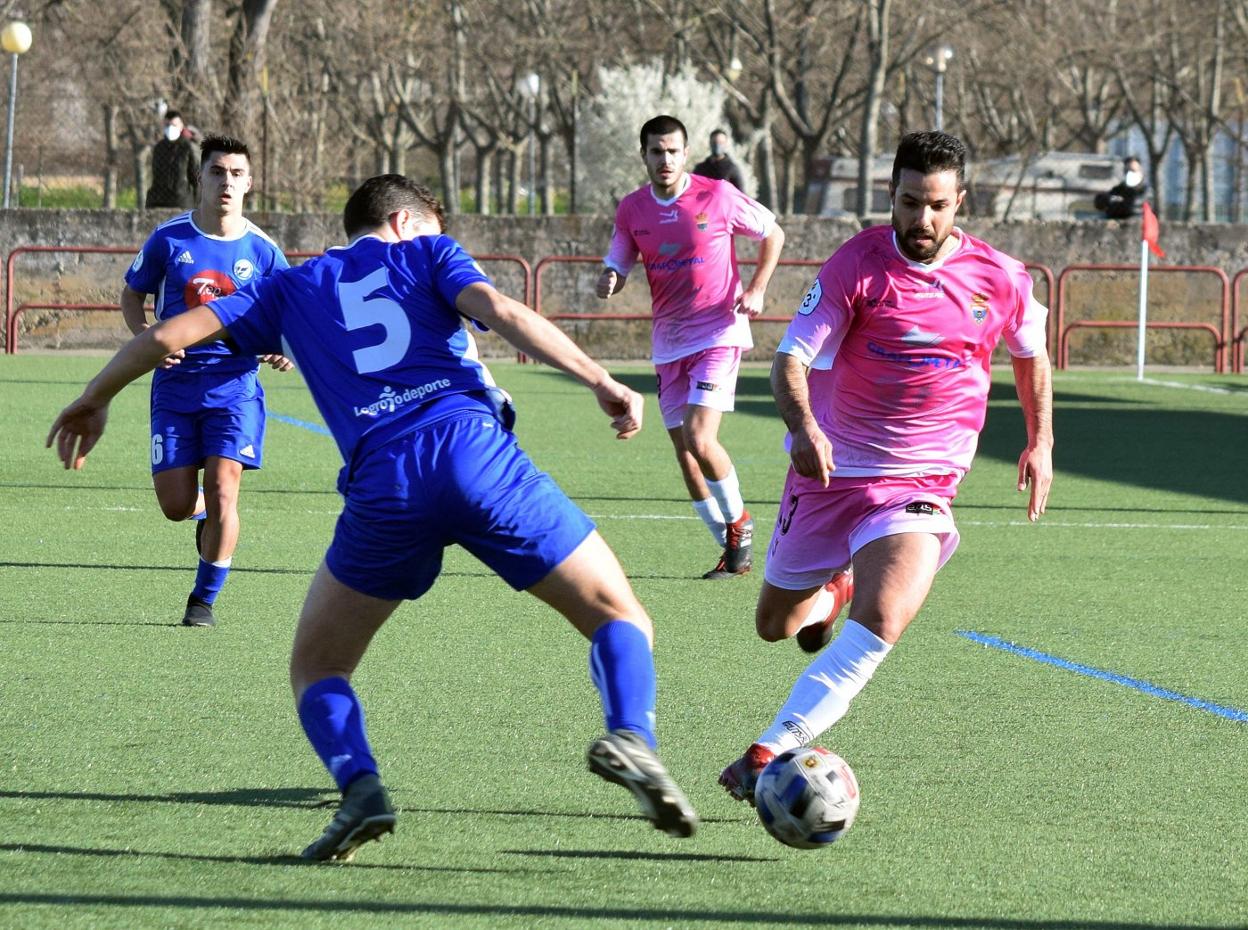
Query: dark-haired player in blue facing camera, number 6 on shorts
[(208, 404)]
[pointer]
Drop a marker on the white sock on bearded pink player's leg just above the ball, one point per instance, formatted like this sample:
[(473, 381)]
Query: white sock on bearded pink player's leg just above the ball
[(822, 696)]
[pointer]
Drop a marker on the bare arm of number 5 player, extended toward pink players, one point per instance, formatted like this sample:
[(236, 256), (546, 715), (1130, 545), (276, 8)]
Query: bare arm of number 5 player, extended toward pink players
[(539, 338)]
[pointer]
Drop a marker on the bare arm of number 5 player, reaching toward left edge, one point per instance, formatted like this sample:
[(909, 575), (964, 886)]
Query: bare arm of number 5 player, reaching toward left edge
[(79, 428)]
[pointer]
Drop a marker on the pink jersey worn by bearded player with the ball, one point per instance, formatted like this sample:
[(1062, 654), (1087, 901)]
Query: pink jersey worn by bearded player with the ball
[(900, 353)]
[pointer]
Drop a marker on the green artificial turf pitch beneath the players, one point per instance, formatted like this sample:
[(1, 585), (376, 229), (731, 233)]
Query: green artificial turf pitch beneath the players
[(155, 777)]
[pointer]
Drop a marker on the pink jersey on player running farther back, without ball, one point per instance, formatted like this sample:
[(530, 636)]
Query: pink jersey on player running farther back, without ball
[(687, 250)]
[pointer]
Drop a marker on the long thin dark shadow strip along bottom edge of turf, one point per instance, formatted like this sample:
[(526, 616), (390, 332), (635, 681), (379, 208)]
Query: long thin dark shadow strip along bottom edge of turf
[(667, 917)]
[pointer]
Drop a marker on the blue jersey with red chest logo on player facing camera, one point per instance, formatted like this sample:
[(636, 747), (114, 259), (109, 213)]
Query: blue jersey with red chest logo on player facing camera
[(185, 268)]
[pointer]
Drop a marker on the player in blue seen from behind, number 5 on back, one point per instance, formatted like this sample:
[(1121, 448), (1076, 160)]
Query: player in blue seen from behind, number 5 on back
[(380, 330)]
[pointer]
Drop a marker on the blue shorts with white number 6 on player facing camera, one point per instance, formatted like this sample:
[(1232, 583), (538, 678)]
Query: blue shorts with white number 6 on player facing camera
[(182, 440)]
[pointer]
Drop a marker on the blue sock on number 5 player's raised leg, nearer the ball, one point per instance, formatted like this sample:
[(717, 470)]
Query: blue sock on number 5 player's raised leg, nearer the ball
[(622, 668)]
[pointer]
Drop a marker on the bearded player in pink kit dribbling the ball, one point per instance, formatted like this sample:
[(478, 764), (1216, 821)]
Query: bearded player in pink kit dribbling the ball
[(883, 380)]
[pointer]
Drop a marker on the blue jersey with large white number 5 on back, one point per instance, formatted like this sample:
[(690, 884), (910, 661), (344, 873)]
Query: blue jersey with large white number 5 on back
[(375, 331)]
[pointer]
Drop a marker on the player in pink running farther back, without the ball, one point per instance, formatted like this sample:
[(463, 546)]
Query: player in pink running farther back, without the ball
[(683, 228)]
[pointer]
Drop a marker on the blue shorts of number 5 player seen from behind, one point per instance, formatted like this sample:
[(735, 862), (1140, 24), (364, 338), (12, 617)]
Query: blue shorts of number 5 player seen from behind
[(462, 480)]
